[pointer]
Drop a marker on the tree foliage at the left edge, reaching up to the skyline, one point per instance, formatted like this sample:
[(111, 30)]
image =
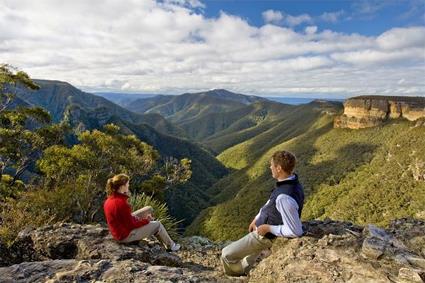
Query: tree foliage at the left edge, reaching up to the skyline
[(24, 132)]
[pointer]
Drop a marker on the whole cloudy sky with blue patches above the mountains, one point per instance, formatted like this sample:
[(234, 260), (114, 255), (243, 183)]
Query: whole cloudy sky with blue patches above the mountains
[(287, 48)]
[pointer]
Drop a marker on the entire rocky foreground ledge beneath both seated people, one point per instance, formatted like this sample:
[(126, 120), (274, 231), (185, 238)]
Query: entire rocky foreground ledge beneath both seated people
[(329, 252)]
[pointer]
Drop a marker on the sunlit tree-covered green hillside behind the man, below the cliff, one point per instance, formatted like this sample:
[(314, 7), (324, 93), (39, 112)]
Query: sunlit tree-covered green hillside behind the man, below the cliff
[(366, 176)]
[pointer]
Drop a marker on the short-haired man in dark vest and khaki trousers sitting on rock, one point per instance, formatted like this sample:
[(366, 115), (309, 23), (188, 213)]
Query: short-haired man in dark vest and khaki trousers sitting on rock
[(279, 217)]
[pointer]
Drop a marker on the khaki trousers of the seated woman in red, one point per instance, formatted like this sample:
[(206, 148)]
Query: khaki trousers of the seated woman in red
[(154, 228)]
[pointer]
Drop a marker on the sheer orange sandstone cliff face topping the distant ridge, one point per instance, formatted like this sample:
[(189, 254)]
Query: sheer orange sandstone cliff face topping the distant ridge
[(370, 111)]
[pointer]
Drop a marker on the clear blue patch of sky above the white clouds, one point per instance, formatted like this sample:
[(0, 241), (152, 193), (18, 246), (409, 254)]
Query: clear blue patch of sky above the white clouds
[(363, 17)]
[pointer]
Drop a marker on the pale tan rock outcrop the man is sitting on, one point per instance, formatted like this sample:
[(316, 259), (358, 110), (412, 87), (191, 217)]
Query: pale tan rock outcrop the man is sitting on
[(341, 252)]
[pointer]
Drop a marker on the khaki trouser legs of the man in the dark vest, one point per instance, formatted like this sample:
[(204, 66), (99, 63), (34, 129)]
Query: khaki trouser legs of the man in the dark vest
[(239, 256)]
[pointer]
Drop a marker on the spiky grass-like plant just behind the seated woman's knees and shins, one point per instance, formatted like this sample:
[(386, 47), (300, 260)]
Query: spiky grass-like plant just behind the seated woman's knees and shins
[(160, 212)]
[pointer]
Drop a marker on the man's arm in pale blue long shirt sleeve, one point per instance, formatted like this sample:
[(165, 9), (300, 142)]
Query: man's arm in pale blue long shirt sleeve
[(292, 226)]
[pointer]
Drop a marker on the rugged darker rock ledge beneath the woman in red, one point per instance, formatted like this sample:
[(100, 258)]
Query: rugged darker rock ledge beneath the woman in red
[(85, 253)]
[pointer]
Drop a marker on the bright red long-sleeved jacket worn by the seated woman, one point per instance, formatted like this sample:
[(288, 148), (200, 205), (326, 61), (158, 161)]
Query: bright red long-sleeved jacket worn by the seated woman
[(119, 217)]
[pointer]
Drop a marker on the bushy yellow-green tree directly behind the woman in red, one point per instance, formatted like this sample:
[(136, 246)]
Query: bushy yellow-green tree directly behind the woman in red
[(87, 165)]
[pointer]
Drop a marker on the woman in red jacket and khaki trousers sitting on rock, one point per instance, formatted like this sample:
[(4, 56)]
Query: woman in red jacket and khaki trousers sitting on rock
[(126, 226)]
